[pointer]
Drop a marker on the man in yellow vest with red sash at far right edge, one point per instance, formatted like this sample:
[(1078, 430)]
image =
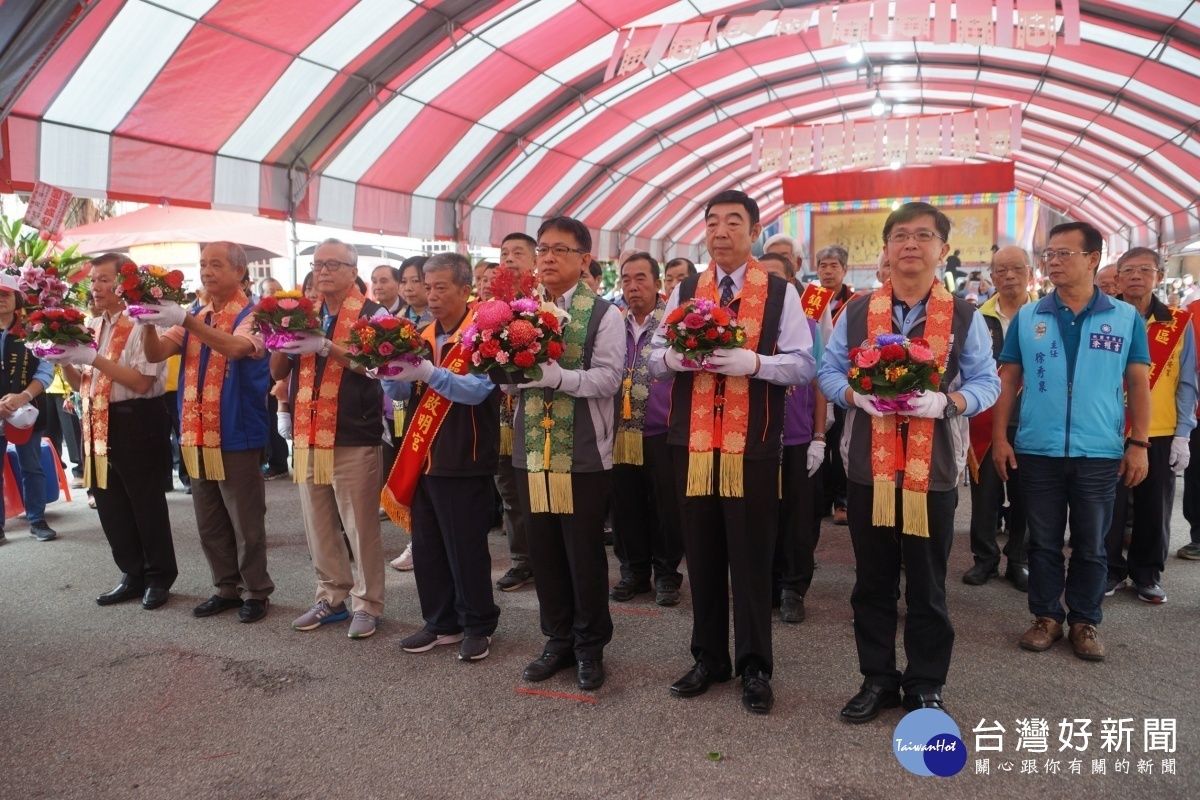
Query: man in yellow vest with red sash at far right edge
[(1173, 402)]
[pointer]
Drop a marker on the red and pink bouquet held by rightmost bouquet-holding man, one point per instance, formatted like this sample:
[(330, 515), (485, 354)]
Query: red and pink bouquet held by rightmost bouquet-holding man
[(895, 370)]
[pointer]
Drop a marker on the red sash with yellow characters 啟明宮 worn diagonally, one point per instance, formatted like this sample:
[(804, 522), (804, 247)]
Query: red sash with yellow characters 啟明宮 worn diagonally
[(428, 419)]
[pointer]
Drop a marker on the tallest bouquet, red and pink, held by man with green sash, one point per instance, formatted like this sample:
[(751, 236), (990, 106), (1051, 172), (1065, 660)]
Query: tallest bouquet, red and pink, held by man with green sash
[(511, 339)]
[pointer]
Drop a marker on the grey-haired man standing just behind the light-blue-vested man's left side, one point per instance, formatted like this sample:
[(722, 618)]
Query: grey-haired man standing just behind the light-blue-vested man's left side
[(1011, 274)]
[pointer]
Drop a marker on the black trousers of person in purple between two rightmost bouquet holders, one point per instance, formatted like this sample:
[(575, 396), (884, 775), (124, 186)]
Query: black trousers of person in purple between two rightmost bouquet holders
[(796, 542)]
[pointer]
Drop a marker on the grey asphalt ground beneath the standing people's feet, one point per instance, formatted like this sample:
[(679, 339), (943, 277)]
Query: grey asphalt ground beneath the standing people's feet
[(121, 702)]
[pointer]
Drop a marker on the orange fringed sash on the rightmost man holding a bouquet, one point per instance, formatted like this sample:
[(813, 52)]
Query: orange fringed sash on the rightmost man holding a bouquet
[(889, 443)]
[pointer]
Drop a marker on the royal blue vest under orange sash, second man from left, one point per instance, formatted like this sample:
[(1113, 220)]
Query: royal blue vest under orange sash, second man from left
[(244, 419)]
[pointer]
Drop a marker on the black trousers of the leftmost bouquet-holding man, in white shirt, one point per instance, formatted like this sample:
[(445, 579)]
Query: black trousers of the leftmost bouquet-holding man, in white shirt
[(134, 508)]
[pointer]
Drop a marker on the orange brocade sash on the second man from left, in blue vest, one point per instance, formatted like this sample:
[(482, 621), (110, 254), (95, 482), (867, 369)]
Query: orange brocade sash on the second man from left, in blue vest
[(201, 419)]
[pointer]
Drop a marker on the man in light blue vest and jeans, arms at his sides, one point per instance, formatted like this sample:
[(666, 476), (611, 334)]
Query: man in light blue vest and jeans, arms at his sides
[(1071, 356)]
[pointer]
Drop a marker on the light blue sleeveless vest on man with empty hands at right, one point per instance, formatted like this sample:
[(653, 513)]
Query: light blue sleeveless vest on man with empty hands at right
[(1081, 416)]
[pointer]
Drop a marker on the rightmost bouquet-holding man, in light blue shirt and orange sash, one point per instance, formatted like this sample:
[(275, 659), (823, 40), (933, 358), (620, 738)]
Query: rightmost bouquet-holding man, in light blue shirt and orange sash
[(904, 461)]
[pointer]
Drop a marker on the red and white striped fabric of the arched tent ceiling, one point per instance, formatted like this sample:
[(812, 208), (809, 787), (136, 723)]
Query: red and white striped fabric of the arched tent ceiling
[(475, 118)]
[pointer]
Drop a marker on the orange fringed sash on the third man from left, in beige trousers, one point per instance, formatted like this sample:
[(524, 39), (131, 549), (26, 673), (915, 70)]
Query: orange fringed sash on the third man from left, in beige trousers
[(316, 423)]
